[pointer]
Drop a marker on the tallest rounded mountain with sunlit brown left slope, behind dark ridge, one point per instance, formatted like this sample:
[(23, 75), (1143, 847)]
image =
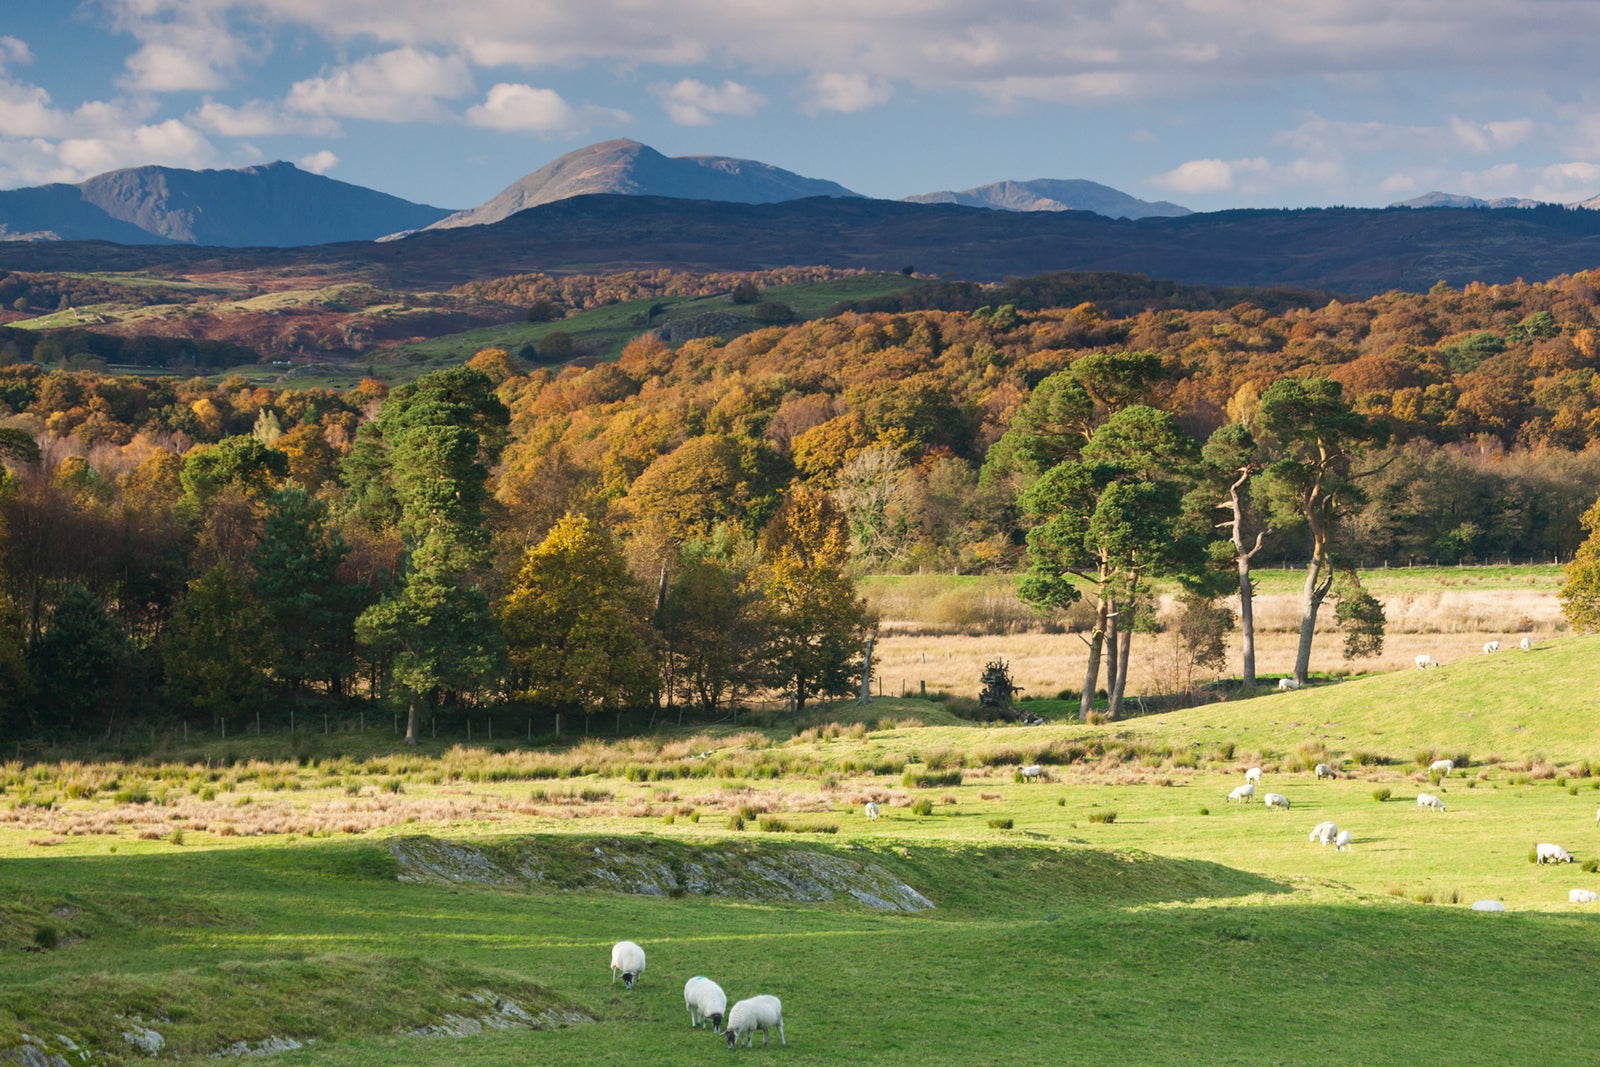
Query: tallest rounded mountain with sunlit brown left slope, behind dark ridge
[(638, 170)]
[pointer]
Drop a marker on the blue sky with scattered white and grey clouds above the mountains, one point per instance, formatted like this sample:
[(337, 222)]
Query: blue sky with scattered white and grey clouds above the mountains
[(1207, 103)]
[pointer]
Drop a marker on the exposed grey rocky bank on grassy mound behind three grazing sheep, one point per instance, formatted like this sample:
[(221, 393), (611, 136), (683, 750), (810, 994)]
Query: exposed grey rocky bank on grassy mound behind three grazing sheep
[(652, 868)]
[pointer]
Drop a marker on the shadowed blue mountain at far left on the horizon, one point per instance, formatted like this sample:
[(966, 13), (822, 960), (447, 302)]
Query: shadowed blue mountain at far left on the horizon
[(274, 206)]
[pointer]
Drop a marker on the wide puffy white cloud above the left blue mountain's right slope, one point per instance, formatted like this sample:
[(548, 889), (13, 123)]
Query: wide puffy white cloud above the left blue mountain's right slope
[(399, 86)]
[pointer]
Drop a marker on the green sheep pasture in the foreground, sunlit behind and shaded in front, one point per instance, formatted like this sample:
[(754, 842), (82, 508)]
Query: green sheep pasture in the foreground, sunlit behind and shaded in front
[(1119, 911)]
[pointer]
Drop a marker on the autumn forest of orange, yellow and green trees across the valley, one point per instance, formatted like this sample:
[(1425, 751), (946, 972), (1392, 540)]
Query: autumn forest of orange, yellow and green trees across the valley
[(684, 529)]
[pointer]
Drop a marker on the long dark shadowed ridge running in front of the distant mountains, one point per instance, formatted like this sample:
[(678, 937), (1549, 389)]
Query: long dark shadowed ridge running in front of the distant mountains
[(1342, 250)]
